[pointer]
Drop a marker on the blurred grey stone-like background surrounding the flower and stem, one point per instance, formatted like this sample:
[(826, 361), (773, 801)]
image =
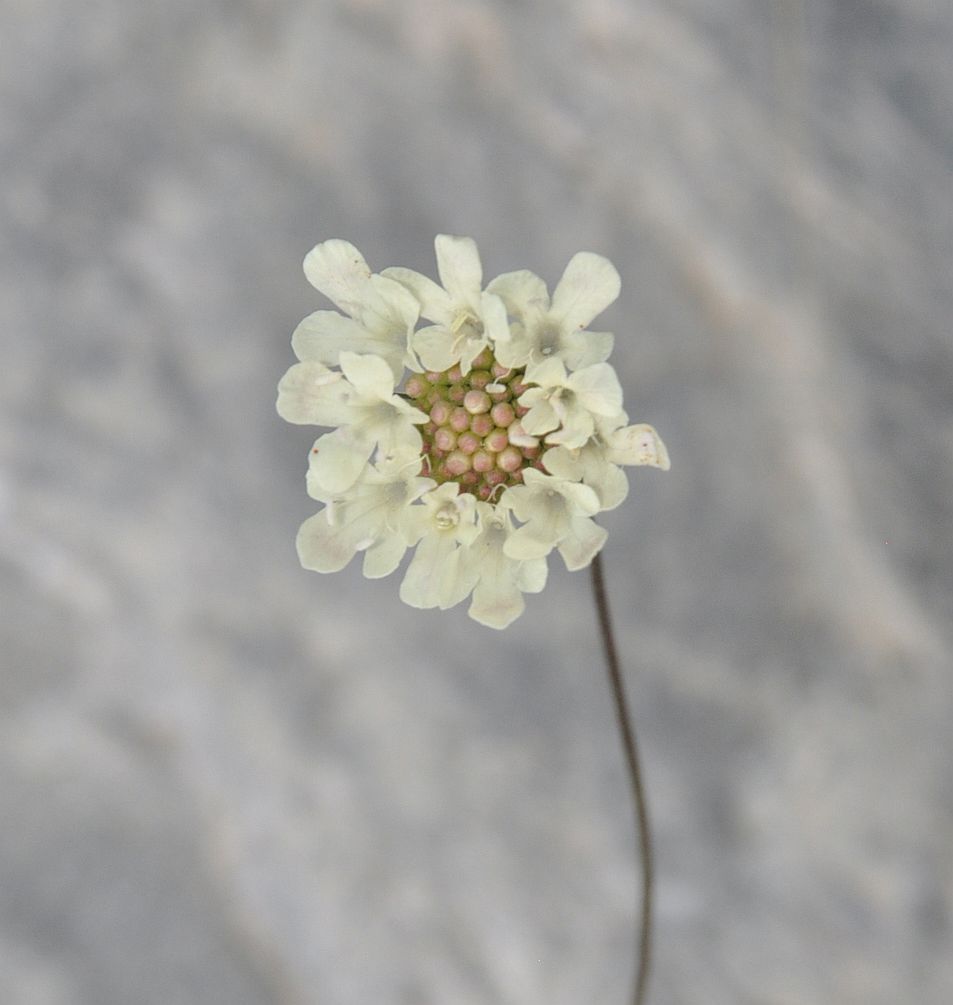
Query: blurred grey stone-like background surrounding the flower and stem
[(226, 780)]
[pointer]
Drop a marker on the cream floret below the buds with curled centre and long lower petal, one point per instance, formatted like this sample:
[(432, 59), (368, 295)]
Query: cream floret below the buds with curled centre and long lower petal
[(439, 574)]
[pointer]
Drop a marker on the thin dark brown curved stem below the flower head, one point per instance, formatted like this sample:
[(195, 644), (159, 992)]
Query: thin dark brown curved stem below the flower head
[(636, 781)]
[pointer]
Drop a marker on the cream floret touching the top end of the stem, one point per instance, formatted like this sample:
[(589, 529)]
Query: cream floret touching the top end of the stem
[(555, 514)]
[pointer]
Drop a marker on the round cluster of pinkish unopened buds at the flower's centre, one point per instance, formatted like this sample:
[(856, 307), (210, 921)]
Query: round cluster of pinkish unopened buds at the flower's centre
[(474, 436)]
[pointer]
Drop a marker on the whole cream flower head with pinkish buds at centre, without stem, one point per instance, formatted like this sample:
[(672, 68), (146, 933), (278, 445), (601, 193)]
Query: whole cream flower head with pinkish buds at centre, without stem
[(483, 441)]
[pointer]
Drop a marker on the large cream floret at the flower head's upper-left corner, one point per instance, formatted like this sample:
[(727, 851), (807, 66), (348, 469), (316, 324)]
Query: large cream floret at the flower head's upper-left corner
[(383, 313)]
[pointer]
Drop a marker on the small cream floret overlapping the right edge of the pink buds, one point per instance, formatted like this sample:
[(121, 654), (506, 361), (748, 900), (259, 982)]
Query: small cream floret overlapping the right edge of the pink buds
[(565, 406)]
